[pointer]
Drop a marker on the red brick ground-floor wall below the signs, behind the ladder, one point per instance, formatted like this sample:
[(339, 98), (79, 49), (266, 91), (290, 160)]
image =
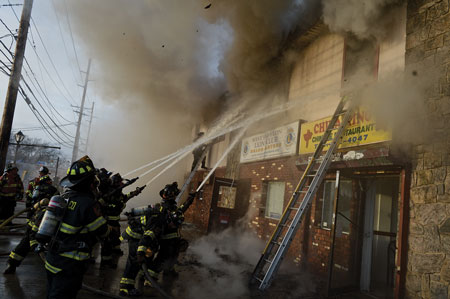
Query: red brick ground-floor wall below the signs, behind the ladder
[(311, 246)]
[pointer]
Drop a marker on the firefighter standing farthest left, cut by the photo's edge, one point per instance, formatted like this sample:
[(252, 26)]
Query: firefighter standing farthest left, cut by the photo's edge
[(11, 190)]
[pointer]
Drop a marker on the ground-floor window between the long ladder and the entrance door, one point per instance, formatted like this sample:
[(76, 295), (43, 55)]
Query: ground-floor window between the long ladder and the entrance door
[(345, 197)]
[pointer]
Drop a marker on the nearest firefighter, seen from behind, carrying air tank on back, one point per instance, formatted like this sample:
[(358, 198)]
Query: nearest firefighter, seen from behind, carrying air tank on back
[(79, 228)]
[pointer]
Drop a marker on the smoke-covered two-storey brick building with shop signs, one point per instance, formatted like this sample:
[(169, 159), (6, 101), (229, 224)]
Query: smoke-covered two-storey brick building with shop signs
[(392, 229)]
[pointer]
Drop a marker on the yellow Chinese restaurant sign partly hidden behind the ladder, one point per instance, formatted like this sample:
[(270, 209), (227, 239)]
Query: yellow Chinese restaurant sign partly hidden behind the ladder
[(361, 130)]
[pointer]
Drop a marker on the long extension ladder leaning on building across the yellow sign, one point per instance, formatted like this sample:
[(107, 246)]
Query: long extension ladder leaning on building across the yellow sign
[(305, 191)]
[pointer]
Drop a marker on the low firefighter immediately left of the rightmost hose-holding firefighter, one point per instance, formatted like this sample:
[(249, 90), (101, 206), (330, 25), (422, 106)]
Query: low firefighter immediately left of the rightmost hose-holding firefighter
[(137, 225)]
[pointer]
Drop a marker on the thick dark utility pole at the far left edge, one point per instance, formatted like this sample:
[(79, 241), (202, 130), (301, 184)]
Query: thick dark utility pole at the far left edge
[(14, 80)]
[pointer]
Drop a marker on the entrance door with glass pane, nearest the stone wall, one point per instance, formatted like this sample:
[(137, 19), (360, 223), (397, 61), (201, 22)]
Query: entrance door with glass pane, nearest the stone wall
[(380, 234)]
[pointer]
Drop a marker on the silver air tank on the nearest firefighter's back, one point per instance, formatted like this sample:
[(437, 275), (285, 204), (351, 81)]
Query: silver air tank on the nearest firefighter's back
[(52, 218)]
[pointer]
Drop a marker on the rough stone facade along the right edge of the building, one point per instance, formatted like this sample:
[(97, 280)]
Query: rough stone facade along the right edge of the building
[(428, 52)]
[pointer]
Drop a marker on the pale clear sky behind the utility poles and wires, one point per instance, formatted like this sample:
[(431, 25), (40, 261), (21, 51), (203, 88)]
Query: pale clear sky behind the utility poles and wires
[(55, 62)]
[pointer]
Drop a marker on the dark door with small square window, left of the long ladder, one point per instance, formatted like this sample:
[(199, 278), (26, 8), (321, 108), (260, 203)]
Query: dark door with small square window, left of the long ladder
[(229, 203)]
